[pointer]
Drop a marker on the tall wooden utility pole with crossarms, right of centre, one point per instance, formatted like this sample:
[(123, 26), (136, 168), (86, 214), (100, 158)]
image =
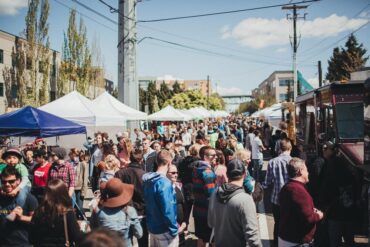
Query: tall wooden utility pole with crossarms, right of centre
[(295, 44)]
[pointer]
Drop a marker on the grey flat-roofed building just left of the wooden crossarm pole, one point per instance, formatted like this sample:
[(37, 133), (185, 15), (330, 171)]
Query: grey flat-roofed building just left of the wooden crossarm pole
[(276, 86)]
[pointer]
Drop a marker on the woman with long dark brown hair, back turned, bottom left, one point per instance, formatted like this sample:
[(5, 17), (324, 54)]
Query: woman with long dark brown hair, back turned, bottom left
[(53, 214)]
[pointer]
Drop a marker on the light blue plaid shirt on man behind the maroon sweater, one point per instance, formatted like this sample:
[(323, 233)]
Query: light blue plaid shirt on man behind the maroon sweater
[(277, 174)]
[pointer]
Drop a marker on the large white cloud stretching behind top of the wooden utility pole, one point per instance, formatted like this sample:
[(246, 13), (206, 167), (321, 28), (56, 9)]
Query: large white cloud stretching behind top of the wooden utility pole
[(260, 32)]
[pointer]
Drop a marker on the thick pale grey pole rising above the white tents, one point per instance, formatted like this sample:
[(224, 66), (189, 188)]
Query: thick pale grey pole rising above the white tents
[(128, 90)]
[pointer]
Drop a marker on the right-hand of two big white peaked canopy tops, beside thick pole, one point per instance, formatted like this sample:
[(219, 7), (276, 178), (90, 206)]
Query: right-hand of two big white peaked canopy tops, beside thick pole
[(107, 101)]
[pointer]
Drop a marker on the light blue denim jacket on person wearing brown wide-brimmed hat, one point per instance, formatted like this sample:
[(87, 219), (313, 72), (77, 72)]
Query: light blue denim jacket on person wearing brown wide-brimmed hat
[(120, 220)]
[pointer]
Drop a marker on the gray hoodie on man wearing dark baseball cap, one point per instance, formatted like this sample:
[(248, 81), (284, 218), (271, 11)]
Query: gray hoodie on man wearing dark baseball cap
[(232, 214)]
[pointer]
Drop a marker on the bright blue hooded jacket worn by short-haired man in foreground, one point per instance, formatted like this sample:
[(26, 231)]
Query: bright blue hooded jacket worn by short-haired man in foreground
[(160, 204)]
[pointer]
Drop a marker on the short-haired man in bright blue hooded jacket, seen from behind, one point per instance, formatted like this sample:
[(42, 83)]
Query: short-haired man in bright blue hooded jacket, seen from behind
[(160, 204)]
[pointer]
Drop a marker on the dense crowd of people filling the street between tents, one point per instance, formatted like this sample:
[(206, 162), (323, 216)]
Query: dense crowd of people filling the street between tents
[(147, 183)]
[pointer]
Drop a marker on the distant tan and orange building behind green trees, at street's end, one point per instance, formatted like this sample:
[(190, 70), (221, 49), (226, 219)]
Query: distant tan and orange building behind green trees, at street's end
[(204, 86)]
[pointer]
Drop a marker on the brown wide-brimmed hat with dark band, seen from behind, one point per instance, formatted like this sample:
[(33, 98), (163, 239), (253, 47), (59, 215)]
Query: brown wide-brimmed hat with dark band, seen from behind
[(116, 193)]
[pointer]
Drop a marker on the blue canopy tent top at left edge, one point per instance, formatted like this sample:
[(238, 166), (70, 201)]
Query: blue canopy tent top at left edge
[(29, 121)]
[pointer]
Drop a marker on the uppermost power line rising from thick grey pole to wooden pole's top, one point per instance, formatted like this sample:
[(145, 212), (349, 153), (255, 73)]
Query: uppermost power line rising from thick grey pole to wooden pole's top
[(225, 12)]
